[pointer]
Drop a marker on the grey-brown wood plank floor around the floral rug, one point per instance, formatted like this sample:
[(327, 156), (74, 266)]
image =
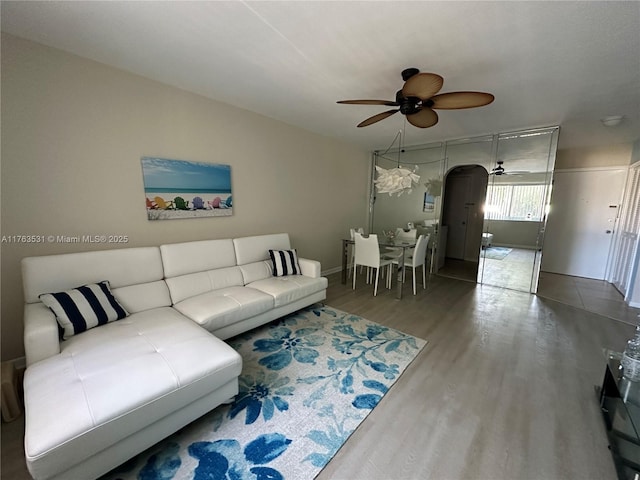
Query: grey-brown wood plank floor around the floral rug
[(503, 390)]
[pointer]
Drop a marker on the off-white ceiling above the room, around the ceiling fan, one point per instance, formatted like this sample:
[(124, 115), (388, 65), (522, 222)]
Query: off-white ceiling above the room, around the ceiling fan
[(547, 63)]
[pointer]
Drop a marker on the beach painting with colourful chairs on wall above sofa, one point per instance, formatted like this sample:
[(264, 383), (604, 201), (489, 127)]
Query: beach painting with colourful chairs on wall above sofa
[(182, 189)]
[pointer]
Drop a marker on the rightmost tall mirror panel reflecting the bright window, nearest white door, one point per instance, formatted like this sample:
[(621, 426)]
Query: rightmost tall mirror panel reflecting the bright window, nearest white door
[(516, 209)]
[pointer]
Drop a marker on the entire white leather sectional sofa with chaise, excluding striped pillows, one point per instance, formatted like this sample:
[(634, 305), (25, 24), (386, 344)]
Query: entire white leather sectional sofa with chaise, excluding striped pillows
[(101, 396)]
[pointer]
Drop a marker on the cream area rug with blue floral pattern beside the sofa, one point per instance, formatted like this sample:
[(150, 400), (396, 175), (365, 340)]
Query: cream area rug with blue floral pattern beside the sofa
[(308, 381)]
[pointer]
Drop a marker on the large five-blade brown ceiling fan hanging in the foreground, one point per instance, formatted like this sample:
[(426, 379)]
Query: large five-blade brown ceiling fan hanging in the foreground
[(417, 99)]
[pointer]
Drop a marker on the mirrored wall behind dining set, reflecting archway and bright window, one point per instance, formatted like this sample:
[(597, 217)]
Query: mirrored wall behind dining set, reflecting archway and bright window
[(485, 225)]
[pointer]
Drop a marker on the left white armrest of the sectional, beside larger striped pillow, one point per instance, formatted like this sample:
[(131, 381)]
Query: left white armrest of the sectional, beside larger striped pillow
[(41, 338)]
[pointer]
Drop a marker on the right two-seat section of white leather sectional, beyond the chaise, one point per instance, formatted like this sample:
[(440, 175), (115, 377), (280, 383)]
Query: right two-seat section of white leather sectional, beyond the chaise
[(227, 286)]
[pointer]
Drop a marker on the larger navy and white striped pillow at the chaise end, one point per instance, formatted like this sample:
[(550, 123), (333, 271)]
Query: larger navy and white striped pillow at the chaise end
[(85, 307)]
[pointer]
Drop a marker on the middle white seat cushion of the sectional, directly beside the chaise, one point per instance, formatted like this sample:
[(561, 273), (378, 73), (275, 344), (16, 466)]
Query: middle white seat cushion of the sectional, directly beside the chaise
[(219, 308)]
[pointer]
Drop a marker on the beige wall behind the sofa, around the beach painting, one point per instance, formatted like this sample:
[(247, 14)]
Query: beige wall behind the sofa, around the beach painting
[(73, 132)]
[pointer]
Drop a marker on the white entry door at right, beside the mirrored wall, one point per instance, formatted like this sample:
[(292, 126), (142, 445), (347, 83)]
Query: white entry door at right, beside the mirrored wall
[(584, 208)]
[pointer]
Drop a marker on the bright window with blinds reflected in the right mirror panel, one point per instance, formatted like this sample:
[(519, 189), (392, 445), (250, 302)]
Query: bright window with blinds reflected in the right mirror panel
[(515, 202)]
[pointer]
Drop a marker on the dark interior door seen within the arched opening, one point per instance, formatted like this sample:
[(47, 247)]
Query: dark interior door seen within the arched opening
[(456, 213)]
